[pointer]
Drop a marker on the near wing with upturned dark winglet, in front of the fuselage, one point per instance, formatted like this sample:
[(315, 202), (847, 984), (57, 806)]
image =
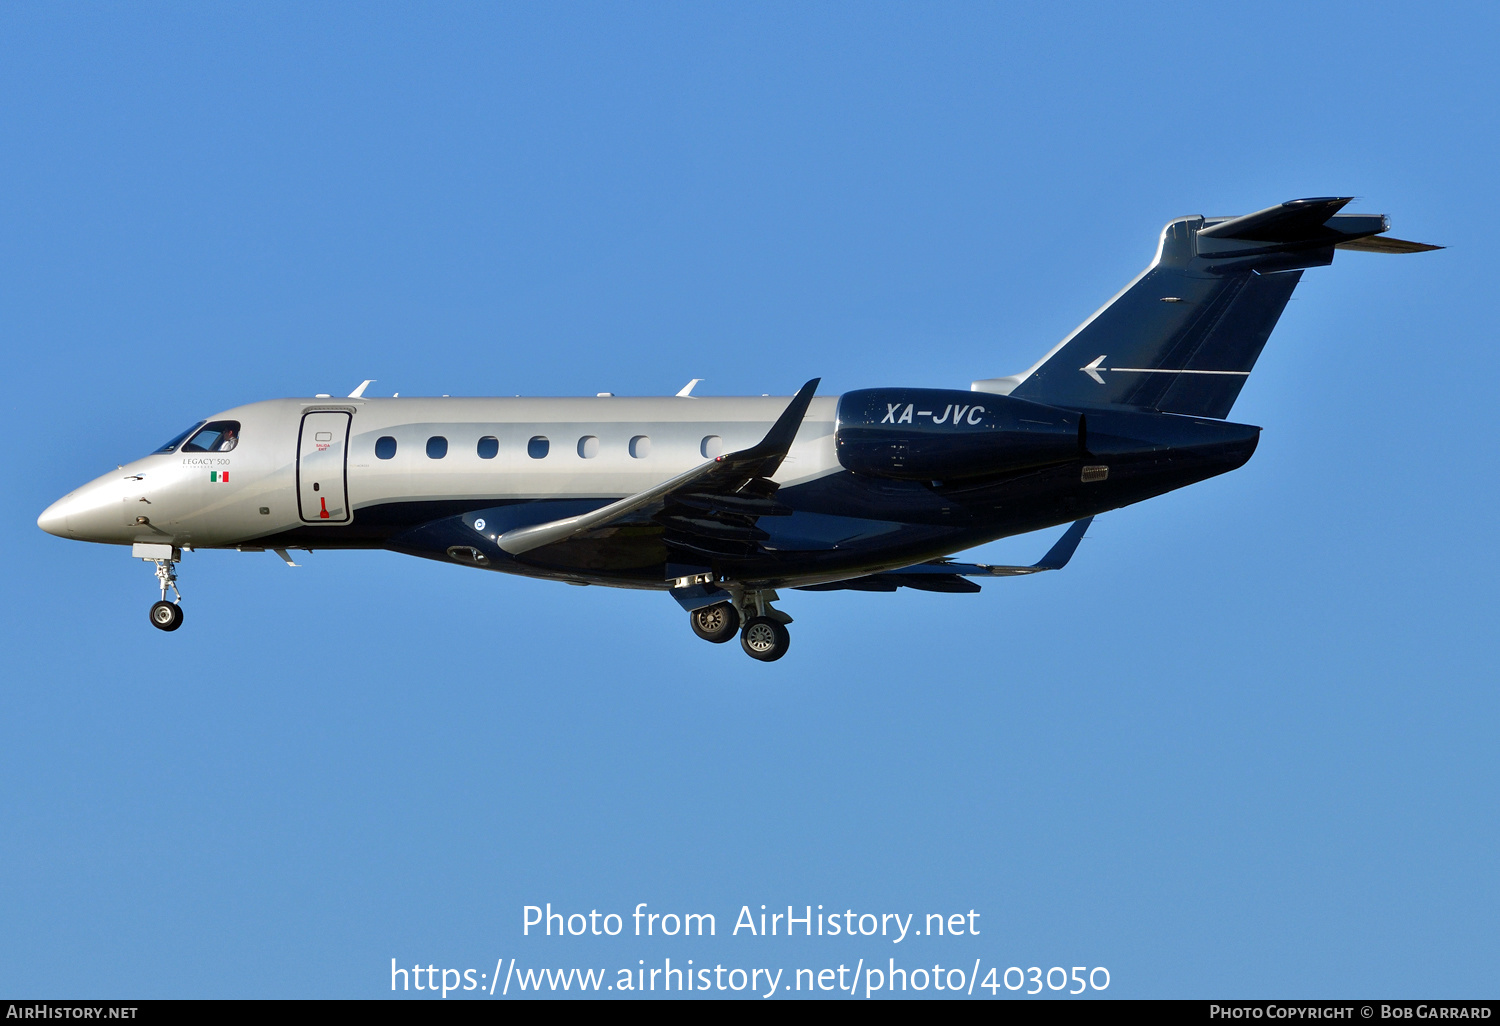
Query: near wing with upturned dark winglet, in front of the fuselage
[(706, 512)]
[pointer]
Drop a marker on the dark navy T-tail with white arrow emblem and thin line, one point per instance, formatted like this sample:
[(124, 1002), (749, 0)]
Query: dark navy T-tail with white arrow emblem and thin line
[(1186, 334)]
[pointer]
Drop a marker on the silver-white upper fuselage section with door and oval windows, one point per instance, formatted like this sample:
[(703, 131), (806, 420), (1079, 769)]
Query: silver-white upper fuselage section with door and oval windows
[(596, 448)]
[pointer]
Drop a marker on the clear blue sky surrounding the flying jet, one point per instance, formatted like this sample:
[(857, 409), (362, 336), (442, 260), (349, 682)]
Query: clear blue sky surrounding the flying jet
[(1243, 746)]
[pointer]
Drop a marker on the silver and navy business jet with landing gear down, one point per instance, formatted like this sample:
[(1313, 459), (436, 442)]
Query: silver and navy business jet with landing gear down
[(722, 503)]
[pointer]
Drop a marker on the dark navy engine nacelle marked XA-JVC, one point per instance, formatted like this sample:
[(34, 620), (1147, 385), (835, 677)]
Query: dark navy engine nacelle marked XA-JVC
[(940, 434)]
